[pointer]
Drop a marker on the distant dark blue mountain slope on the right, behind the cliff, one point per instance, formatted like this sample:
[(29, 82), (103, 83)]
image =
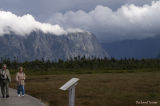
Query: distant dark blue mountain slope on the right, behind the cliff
[(145, 48)]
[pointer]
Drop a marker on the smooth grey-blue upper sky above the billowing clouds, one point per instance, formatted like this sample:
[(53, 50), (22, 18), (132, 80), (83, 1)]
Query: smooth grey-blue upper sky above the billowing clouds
[(42, 9)]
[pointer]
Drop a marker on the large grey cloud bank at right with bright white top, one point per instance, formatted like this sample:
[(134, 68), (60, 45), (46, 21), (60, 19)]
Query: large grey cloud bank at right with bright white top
[(127, 22)]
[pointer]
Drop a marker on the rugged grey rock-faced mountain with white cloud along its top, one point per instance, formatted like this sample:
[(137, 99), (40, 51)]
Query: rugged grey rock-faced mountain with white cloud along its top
[(38, 45)]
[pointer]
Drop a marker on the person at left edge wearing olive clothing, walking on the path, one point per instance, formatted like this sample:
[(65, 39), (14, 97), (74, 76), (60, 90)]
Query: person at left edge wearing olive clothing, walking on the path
[(5, 80)]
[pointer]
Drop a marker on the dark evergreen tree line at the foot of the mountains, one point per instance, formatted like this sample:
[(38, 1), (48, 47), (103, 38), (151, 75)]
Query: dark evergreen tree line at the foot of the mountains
[(83, 63)]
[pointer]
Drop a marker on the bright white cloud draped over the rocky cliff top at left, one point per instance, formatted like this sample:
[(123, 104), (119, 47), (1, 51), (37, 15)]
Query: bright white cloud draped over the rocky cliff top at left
[(23, 25)]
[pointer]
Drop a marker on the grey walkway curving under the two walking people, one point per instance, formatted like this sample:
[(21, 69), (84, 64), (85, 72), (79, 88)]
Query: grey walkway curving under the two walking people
[(14, 100)]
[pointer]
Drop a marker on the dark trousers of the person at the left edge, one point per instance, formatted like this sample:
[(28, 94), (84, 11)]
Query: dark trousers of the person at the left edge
[(4, 87)]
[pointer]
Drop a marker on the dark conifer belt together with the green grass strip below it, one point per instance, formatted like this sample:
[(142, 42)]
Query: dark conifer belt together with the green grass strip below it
[(82, 65)]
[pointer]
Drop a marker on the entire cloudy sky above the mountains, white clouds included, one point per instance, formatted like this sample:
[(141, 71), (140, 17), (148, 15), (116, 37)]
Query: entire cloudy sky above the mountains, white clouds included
[(109, 20)]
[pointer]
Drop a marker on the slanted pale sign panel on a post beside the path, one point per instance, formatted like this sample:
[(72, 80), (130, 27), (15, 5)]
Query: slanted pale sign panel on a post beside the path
[(70, 85)]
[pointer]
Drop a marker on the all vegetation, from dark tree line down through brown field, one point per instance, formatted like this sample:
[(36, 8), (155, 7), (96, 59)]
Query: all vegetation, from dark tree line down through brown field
[(103, 82)]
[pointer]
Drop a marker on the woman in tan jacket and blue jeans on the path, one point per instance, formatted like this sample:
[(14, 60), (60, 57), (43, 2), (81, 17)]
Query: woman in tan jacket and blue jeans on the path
[(20, 78)]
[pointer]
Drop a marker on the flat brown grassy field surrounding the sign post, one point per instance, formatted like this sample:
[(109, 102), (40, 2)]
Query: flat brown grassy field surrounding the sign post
[(107, 89)]
